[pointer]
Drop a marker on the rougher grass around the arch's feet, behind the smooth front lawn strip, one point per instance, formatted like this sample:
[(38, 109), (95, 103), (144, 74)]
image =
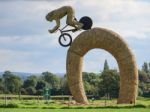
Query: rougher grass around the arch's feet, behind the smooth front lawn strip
[(141, 102)]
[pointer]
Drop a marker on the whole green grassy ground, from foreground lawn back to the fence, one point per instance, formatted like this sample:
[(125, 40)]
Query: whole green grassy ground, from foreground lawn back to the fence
[(35, 105)]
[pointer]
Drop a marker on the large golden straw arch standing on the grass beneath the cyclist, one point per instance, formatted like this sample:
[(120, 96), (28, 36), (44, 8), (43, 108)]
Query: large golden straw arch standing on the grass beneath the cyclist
[(114, 44)]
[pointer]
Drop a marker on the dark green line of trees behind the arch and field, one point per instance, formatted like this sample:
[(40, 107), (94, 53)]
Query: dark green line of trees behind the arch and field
[(97, 85)]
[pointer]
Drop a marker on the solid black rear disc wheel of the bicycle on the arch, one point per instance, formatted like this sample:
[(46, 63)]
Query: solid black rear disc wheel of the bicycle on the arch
[(87, 22)]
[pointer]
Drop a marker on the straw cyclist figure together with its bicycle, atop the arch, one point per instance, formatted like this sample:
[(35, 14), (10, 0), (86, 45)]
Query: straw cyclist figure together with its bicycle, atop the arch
[(65, 38)]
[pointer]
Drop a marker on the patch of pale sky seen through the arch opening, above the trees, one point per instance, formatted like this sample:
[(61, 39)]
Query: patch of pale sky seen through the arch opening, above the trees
[(94, 60)]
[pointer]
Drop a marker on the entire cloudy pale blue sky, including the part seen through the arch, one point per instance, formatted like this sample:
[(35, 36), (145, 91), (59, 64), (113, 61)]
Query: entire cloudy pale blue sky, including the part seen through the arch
[(26, 45)]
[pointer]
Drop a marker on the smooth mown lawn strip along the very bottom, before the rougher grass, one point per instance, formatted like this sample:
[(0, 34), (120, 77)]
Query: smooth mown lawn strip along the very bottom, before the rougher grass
[(74, 110)]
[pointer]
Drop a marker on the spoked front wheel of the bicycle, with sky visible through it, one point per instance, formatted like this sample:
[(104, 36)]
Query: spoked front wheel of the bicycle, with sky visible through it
[(65, 40)]
